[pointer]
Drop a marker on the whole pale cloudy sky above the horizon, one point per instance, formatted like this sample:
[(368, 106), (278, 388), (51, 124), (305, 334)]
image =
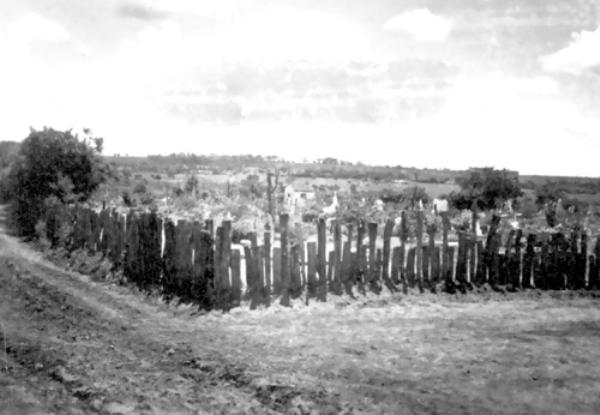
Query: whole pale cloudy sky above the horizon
[(431, 83)]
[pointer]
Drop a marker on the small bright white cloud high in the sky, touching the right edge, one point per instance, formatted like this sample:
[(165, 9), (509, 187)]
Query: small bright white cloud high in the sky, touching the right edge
[(581, 54)]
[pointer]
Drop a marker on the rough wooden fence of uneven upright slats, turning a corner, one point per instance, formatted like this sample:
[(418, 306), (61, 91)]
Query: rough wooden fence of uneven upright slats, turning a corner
[(200, 264)]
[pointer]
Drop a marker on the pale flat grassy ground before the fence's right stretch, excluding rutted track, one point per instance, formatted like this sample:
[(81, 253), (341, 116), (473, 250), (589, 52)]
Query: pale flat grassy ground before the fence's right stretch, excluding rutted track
[(432, 354)]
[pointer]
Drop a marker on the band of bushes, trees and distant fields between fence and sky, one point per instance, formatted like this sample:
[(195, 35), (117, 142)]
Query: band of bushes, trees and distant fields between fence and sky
[(217, 185)]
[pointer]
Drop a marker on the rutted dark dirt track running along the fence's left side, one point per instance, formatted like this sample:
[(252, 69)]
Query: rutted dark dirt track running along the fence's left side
[(75, 346)]
